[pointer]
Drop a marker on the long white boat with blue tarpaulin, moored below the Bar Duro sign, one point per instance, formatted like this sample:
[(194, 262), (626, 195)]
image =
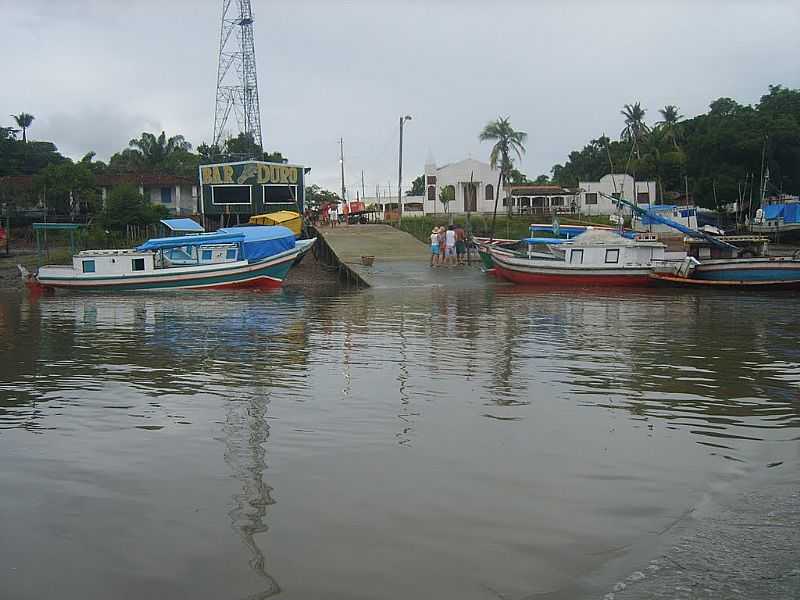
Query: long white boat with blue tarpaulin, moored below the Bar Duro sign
[(254, 257)]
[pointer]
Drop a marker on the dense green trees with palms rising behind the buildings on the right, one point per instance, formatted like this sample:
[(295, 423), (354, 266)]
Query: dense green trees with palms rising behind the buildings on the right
[(719, 156)]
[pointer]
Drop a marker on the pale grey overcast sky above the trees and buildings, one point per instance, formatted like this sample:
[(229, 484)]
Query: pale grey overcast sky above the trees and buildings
[(96, 73)]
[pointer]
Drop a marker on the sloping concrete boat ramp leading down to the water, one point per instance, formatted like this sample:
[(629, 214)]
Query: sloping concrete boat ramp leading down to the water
[(400, 259)]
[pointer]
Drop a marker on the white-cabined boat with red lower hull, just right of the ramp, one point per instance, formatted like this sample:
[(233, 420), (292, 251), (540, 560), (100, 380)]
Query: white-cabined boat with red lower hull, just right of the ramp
[(594, 258)]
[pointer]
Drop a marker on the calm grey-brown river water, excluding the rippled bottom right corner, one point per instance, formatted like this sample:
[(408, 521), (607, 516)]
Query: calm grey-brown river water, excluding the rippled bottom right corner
[(475, 442)]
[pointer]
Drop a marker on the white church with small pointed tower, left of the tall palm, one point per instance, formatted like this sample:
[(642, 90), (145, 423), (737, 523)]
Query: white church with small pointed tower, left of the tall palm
[(474, 186)]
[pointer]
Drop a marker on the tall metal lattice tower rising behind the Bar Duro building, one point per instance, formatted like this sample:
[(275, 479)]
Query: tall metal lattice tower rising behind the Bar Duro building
[(237, 83)]
